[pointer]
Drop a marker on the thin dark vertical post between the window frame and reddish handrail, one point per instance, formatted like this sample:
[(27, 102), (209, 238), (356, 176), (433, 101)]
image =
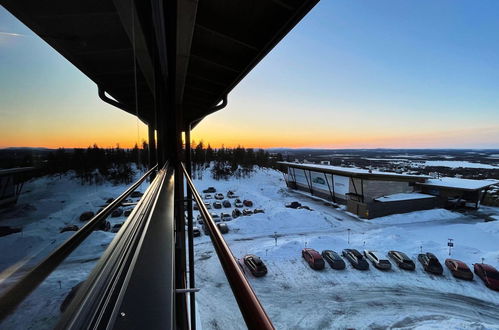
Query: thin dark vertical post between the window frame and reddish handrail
[(192, 279)]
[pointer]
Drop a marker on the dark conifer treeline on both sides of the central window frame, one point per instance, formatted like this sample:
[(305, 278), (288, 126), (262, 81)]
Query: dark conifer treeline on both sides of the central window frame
[(95, 165)]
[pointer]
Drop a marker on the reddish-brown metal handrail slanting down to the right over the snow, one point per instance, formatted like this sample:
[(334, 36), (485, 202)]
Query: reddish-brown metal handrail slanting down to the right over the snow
[(252, 310)]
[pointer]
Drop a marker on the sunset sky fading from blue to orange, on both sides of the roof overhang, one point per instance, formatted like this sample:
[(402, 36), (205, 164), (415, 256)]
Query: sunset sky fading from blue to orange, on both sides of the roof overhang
[(352, 74)]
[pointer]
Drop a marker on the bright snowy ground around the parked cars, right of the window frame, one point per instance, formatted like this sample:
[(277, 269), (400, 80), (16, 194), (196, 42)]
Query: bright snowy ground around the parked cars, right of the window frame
[(297, 297)]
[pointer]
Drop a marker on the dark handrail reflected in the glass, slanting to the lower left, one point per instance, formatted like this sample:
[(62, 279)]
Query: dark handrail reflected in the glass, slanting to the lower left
[(14, 295)]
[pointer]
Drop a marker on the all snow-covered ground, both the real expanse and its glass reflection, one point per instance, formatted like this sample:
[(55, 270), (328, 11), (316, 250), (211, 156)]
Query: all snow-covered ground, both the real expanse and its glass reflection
[(295, 296)]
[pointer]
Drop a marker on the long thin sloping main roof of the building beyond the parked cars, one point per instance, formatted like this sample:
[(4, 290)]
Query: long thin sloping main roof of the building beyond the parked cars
[(358, 172)]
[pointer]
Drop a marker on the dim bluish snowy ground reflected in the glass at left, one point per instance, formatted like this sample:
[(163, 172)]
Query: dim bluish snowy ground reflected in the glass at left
[(45, 205)]
